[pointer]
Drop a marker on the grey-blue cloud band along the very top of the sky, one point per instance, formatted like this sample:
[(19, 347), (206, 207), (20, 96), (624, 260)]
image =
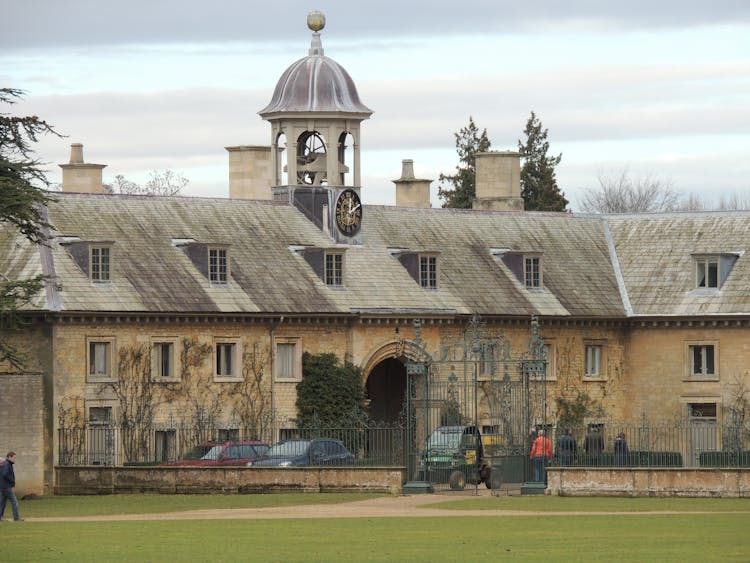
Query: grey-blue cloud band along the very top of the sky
[(37, 23)]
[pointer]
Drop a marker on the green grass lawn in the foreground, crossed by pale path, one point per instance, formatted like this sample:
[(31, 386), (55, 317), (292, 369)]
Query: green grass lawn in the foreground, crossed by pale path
[(720, 535)]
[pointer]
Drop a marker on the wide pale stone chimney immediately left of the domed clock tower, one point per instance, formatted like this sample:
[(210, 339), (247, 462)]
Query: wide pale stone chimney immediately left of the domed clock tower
[(250, 172)]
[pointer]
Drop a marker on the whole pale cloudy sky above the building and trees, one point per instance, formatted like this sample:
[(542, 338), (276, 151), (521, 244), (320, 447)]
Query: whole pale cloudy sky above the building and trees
[(661, 87)]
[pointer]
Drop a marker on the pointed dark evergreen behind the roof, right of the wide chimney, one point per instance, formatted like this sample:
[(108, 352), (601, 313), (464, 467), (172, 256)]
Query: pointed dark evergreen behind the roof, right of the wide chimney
[(539, 187)]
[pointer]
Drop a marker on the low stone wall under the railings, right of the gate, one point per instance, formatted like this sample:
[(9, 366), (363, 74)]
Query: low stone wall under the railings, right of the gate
[(643, 482)]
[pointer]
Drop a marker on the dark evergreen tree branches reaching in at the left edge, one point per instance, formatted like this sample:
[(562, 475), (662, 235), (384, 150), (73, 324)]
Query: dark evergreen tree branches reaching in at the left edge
[(21, 205)]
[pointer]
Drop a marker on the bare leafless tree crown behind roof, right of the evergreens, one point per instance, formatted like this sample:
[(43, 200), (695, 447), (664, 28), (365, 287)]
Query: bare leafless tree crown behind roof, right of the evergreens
[(620, 192)]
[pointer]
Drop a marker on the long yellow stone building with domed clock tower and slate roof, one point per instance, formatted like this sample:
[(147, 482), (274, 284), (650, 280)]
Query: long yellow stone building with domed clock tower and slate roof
[(646, 314)]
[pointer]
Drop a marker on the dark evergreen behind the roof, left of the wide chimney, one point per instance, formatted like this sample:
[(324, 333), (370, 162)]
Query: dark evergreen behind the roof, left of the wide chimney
[(461, 190)]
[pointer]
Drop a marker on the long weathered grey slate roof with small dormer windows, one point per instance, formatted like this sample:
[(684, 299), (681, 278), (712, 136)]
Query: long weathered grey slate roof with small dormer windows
[(593, 266)]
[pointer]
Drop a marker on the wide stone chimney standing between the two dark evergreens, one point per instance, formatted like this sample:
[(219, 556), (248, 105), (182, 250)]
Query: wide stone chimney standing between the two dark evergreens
[(498, 181)]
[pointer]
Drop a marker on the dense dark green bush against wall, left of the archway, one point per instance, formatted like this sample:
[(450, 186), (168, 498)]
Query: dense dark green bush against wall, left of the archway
[(329, 393)]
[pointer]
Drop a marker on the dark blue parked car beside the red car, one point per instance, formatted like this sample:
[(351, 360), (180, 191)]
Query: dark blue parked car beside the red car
[(293, 453)]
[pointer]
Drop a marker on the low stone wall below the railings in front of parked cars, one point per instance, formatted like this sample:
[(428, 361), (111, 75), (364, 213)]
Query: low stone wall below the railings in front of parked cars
[(187, 480)]
